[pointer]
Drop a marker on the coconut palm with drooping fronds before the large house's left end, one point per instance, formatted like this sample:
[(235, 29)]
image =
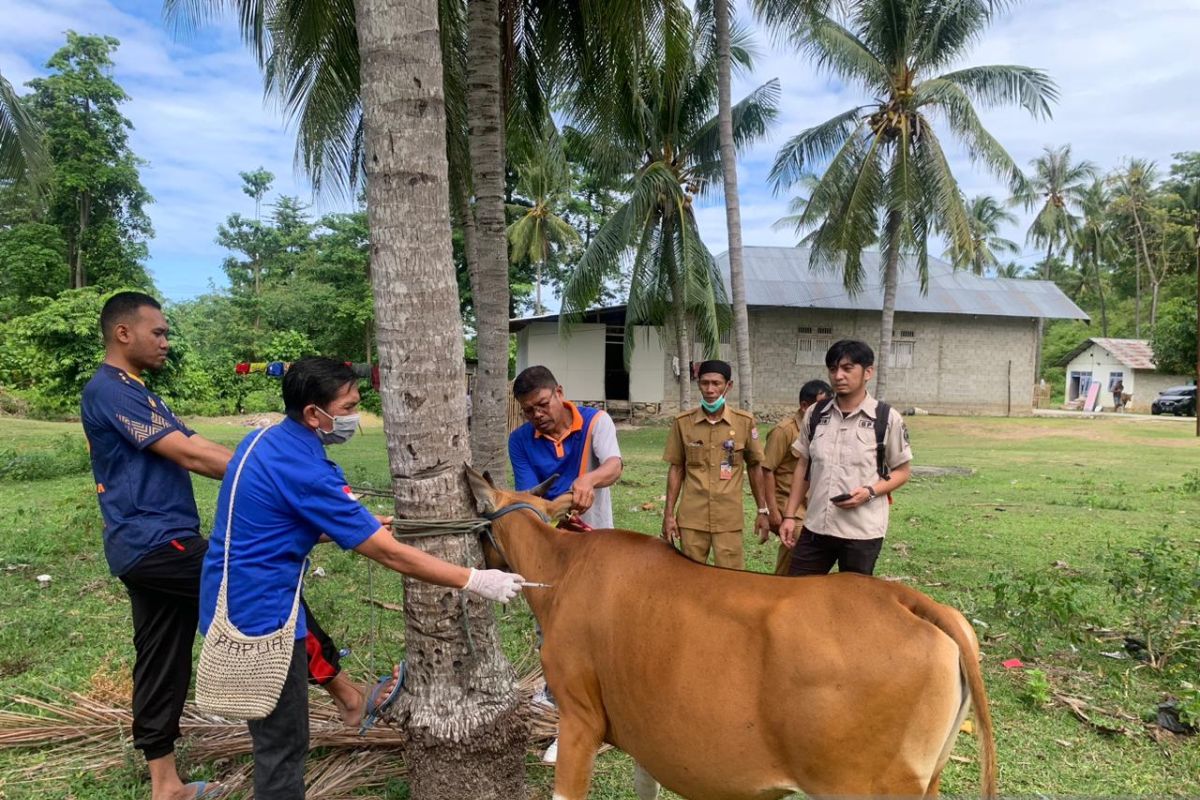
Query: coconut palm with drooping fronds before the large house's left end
[(659, 133)]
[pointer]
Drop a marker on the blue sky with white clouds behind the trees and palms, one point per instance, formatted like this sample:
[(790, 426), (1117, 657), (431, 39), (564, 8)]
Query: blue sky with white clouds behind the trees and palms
[(1129, 76)]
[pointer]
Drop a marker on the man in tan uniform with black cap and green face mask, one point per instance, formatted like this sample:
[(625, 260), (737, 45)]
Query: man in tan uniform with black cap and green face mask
[(709, 450)]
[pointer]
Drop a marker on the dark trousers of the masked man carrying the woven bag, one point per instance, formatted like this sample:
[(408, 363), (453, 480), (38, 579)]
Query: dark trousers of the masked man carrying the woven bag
[(281, 739)]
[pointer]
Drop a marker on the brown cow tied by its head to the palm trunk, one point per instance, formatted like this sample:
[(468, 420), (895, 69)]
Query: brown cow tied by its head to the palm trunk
[(728, 685)]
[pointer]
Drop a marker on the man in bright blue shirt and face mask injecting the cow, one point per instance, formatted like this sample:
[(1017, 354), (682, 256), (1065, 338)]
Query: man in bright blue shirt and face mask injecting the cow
[(290, 498)]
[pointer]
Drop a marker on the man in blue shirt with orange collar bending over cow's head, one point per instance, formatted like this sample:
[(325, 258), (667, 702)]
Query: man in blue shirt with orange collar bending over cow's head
[(577, 443)]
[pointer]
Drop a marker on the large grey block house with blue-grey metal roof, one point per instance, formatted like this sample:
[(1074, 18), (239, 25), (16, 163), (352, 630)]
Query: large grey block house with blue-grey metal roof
[(965, 346)]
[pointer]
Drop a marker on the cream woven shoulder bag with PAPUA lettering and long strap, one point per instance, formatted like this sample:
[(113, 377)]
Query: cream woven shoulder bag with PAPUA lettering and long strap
[(242, 677)]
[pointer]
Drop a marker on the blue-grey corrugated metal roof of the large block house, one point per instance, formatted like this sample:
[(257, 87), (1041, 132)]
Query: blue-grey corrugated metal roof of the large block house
[(783, 278)]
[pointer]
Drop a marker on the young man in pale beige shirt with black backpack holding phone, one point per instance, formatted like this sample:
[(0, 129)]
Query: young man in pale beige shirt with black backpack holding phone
[(847, 488)]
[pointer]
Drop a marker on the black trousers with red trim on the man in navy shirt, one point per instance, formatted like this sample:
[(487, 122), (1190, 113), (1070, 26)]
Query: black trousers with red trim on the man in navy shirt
[(165, 593)]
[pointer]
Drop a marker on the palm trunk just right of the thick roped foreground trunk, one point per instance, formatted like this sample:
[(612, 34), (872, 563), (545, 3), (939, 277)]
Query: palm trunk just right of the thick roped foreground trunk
[(485, 133)]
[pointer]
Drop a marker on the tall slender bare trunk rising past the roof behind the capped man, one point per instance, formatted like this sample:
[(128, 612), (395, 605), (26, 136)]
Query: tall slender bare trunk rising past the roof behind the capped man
[(733, 207)]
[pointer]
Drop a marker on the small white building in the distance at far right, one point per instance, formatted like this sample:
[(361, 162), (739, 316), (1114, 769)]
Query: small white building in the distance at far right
[(1109, 362)]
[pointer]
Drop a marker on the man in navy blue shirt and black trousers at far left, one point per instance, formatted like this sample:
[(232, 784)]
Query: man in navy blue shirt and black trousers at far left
[(141, 456)]
